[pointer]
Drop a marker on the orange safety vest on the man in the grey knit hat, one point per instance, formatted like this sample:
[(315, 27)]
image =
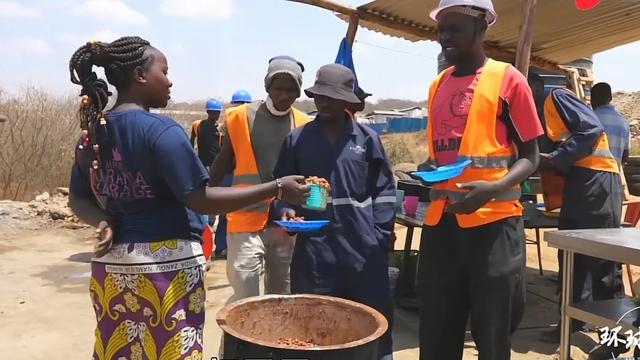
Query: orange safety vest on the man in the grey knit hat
[(254, 217)]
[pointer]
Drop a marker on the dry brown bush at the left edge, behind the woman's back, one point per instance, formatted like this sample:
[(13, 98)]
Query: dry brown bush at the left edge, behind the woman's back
[(36, 144)]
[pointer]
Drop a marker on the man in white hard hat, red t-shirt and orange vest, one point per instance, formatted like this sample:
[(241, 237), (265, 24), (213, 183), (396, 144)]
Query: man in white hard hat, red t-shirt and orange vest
[(472, 252)]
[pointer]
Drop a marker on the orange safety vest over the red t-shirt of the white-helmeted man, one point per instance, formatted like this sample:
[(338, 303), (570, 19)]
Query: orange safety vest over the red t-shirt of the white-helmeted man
[(490, 160)]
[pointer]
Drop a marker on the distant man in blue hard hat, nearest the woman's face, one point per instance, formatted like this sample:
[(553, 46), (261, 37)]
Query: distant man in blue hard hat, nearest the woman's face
[(205, 137)]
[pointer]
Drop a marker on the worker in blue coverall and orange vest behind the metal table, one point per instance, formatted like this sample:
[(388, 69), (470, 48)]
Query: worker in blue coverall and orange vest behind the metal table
[(592, 193)]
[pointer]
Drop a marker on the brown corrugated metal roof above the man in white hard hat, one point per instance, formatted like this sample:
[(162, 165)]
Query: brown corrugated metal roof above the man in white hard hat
[(562, 33)]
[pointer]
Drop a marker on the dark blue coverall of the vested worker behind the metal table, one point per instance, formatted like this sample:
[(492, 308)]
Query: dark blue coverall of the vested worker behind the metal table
[(591, 199)]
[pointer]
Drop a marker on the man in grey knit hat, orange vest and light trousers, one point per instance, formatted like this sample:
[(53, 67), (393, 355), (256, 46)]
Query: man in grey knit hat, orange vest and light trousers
[(254, 135)]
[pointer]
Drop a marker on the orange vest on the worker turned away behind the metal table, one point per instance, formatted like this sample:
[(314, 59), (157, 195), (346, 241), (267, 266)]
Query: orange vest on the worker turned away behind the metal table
[(600, 158)]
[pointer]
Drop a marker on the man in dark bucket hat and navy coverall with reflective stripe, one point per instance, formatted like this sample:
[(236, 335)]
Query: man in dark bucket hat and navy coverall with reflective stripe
[(349, 257)]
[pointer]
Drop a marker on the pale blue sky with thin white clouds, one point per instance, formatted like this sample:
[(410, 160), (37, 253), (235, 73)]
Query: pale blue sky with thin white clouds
[(215, 47)]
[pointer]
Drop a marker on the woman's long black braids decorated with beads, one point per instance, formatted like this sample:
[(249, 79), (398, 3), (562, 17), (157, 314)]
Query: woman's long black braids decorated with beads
[(118, 58)]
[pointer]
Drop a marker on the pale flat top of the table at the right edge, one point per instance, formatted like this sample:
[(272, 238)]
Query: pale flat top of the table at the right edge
[(621, 245)]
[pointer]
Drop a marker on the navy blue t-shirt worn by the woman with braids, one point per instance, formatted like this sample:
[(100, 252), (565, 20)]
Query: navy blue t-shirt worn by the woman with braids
[(146, 173)]
